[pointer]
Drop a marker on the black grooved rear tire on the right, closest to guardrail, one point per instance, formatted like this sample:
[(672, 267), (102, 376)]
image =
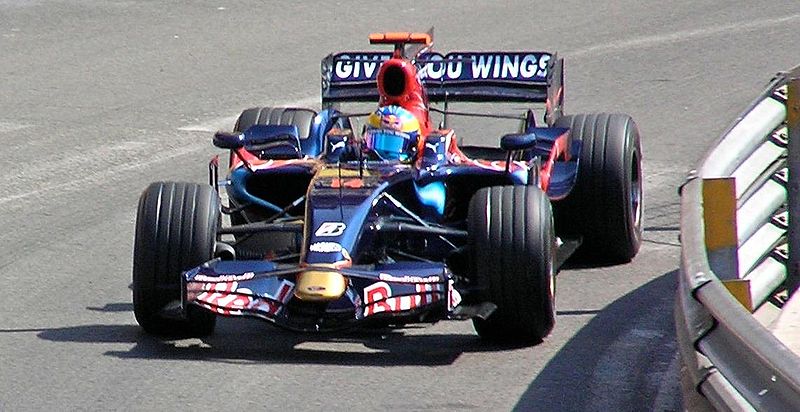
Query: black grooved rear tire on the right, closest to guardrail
[(605, 208)]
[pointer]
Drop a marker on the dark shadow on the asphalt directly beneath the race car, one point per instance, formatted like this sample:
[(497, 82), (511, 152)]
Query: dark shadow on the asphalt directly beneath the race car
[(251, 341)]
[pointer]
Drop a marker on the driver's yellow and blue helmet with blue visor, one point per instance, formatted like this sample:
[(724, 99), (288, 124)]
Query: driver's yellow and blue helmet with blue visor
[(392, 133)]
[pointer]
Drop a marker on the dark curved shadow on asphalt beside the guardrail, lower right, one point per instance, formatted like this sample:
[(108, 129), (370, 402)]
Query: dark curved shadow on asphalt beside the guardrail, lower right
[(623, 359)]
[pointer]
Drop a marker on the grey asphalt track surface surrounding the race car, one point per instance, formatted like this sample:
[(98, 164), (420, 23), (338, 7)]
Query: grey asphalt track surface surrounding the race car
[(98, 99)]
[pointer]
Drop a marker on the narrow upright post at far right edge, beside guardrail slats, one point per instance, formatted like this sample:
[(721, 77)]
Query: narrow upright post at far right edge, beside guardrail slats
[(793, 187)]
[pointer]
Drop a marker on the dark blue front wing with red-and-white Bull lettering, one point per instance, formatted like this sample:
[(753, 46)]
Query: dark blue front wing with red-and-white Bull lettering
[(265, 290)]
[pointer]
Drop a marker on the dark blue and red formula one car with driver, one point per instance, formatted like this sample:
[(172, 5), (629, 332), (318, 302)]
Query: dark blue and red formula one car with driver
[(398, 223)]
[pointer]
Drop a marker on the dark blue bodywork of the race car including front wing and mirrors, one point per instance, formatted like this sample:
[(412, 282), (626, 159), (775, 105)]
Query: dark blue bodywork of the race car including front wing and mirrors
[(347, 197)]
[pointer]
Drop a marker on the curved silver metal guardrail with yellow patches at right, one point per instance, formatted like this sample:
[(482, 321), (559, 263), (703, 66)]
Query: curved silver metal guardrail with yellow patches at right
[(728, 357)]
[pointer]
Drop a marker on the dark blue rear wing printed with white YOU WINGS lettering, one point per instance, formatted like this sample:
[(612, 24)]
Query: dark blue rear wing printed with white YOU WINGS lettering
[(454, 77)]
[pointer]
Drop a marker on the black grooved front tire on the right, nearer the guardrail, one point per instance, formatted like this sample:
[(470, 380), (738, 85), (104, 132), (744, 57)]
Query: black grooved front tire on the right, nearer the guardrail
[(512, 240)]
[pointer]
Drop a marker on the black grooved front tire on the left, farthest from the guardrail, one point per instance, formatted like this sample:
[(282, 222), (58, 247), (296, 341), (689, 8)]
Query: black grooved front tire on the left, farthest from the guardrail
[(176, 227)]
